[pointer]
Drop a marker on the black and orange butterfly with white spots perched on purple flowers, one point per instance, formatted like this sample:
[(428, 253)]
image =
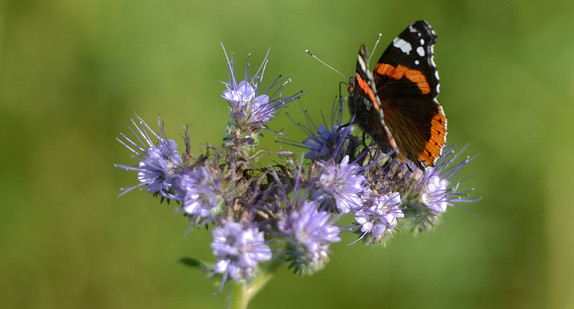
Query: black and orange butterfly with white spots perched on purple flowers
[(396, 104)]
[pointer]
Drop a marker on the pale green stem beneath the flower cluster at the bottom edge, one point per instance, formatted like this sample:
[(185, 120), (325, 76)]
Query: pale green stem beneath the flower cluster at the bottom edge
[(241, 294)]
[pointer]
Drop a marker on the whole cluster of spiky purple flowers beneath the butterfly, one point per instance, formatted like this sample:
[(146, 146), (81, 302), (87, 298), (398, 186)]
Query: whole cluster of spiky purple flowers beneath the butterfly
[(291, 211)]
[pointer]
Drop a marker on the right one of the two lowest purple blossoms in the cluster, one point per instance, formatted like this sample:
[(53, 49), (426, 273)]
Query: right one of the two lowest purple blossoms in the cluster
[(309, 232)]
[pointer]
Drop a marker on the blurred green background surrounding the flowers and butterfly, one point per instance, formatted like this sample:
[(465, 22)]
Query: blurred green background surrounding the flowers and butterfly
[(72, 73)]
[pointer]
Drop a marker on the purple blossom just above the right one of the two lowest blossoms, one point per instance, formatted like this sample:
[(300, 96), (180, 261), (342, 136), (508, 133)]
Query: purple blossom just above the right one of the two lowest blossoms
[(341, 183)]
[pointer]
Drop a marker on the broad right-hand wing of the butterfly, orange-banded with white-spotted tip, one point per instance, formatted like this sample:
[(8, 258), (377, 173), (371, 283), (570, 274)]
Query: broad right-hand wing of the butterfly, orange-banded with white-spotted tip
[(407, 84)]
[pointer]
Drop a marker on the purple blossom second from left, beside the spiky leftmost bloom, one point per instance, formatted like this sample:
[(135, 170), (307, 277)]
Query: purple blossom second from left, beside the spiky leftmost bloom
[(198, 190)]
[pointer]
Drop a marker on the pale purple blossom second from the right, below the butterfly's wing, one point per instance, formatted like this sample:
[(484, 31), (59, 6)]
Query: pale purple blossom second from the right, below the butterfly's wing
[(378, 219)]
